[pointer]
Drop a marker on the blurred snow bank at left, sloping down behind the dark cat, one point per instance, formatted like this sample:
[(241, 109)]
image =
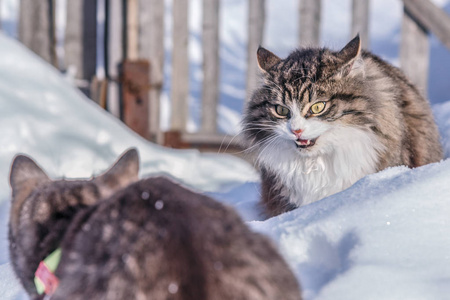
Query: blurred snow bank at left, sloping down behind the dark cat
[(43, 116)]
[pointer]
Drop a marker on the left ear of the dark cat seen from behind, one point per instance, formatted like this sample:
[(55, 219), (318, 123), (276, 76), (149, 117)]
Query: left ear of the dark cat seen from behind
[(25, 175)]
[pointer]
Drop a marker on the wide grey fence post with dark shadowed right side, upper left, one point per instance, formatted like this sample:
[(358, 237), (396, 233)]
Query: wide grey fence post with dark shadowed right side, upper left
[(81, 40)]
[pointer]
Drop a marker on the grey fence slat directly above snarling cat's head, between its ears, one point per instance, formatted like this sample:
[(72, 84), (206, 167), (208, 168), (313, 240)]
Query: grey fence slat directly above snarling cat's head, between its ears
[(310, 17)]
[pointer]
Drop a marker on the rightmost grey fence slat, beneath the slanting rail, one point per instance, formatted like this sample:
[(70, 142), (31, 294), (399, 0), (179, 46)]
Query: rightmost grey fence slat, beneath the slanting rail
[(415, 51)]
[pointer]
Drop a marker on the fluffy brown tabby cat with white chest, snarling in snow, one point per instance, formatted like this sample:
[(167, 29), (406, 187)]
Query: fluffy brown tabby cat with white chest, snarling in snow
[(322, 120)]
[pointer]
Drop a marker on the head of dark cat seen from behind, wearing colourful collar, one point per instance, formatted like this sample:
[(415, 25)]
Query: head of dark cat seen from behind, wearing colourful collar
[(42, 208)]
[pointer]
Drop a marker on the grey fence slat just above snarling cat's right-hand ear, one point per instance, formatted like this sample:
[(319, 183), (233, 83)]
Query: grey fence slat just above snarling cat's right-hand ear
[(360, 21)]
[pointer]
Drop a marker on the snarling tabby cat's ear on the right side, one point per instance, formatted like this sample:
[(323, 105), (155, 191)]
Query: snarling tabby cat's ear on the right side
[(350, 57)]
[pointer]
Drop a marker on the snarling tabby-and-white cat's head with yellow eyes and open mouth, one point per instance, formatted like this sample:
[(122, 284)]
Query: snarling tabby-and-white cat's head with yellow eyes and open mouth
[(308, 100)]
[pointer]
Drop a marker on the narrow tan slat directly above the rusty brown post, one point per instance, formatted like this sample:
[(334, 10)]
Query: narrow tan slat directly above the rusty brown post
[(132, 29)]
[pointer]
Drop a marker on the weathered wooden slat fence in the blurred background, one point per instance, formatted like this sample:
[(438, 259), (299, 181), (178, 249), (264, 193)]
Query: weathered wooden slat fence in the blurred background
[(134, 31)]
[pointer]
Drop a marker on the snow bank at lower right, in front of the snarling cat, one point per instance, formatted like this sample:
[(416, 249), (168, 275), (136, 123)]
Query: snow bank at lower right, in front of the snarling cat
[(384, 238)]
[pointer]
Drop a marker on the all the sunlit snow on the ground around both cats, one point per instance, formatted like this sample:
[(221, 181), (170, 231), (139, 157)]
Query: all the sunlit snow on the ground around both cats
[(387, 237)]
